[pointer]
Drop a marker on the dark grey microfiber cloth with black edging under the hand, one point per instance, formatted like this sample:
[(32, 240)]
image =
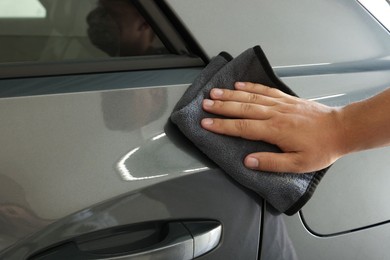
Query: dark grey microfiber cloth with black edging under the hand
[(286, 192)]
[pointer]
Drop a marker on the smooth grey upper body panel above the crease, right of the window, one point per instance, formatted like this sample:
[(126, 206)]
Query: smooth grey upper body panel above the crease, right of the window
[(290, 33)]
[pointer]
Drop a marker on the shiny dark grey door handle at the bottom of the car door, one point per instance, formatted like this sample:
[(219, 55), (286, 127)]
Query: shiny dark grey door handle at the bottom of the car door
[(181, 240)]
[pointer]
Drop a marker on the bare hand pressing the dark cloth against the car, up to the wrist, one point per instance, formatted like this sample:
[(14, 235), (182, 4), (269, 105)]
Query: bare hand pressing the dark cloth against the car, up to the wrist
[(309, 134)]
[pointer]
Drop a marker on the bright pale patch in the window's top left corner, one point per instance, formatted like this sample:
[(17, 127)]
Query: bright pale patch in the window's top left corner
[(21, 9)]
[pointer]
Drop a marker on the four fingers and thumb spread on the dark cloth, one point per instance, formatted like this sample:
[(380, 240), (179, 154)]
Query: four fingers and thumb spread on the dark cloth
[(254, 107)]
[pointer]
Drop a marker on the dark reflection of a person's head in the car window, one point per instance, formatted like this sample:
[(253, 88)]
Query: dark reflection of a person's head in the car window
[(117, 28)]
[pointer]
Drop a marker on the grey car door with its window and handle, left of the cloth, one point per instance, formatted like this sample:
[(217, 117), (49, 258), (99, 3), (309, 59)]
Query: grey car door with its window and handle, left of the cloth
[(90, 166)]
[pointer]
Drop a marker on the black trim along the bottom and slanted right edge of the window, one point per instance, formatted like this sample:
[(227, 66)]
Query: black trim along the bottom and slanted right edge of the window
[(186, 52)]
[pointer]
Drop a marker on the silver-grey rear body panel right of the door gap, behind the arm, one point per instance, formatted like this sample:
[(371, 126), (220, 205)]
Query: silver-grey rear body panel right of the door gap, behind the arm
[(334, 52)]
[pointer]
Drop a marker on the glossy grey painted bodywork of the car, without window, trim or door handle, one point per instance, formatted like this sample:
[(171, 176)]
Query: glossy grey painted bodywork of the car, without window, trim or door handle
[(67, 156)]
